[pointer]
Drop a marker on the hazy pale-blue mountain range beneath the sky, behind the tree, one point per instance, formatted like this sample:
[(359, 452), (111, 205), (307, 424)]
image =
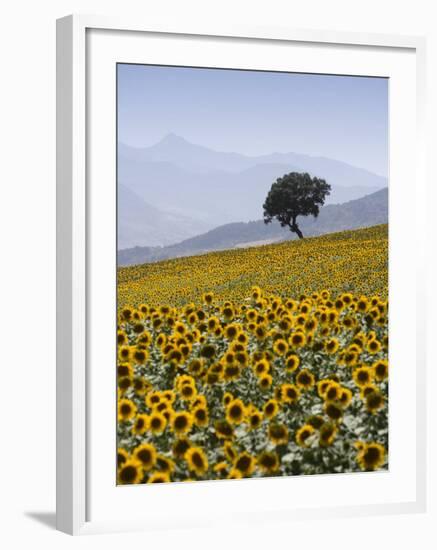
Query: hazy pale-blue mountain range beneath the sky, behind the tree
[(175, 189)]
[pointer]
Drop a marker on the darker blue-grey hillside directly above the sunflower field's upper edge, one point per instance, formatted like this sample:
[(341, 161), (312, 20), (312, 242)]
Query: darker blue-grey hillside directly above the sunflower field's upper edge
[(364, 212)]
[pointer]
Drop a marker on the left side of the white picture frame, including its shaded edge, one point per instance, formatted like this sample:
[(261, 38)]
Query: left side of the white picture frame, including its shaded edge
[(71, 278)]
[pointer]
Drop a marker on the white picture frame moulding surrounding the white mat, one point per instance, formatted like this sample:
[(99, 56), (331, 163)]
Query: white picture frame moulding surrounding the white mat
[(72, 376)]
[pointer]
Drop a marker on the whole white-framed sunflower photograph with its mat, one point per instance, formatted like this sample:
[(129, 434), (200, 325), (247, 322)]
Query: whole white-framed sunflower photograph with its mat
[(240, 275)]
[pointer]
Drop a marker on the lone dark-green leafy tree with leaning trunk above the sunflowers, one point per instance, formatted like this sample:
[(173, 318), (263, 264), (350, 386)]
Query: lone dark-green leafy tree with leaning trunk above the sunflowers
[(295, 195)]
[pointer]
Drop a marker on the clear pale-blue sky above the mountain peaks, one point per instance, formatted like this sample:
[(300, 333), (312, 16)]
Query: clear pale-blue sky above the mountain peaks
[(254, 113)]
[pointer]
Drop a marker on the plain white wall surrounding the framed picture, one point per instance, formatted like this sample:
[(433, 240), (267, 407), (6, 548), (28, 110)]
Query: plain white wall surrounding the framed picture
[(27, 306)]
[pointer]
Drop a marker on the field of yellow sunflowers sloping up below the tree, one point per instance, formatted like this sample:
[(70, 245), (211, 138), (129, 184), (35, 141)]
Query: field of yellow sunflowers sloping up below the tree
[(265, 361)]
